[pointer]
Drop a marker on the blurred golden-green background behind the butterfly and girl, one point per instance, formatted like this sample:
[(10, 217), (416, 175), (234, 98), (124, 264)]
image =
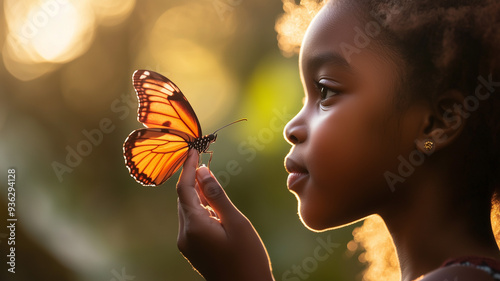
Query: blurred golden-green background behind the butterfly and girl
[(67, 104)]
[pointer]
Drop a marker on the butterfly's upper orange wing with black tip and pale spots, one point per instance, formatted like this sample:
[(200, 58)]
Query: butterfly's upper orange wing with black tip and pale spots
[(162, 104)]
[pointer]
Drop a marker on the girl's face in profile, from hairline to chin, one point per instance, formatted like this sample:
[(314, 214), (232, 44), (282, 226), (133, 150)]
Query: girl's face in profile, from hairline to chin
[(348, 132)]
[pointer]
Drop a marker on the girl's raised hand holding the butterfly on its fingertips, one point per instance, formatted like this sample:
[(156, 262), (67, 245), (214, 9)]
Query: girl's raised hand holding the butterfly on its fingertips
[(218, 240)]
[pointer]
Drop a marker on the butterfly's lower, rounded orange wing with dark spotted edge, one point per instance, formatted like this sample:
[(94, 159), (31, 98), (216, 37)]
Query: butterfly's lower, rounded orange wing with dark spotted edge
[(153, 155)]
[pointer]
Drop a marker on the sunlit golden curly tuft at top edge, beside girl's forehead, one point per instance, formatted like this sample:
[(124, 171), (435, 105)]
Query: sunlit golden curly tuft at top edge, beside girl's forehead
[(292, 25)]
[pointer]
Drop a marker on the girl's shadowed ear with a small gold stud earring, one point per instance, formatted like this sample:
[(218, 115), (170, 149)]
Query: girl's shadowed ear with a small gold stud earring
[(443, 122)]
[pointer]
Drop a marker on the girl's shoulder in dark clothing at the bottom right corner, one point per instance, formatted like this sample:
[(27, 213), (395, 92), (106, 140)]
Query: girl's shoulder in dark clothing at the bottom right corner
[(466, 268)]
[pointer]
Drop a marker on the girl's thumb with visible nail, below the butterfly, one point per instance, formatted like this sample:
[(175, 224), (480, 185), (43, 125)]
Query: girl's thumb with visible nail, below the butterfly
[(215, 195)]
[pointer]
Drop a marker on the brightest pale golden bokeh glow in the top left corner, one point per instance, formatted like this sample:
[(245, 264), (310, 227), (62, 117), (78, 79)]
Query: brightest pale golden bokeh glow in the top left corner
[(43, 34)]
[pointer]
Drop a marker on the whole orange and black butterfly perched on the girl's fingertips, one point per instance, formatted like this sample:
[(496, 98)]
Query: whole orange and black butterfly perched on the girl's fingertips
[(153, 154)]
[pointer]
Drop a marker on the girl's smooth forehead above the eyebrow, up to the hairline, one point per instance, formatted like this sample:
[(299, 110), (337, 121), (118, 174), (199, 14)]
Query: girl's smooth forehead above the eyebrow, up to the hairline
[(340, 34)]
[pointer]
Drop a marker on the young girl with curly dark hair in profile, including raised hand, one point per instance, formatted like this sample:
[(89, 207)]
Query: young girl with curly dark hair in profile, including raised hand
[(400, 119)]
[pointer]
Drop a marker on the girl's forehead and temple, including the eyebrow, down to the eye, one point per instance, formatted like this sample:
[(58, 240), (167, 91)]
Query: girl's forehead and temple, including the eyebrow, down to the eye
[(336, 45)]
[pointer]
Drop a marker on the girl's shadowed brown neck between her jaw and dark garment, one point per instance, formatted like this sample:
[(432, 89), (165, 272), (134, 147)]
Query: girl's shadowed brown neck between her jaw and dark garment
[(431, 227)]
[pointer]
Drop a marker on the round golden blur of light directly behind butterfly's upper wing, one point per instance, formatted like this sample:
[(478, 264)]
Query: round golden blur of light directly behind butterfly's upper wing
[(196, 69)]
